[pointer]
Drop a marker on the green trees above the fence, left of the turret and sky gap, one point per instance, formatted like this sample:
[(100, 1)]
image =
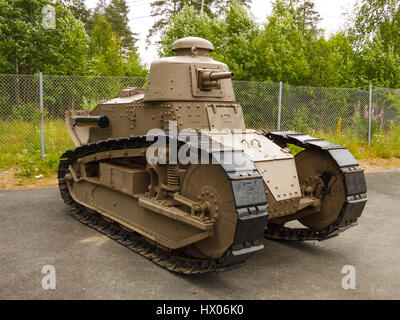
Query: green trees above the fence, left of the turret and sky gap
[(82, 43)]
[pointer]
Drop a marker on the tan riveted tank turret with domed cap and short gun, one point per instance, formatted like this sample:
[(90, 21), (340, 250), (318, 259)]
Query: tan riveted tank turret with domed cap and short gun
[(191, 75)]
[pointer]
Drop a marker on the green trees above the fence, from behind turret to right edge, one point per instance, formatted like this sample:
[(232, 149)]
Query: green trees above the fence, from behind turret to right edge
[(289, 47)]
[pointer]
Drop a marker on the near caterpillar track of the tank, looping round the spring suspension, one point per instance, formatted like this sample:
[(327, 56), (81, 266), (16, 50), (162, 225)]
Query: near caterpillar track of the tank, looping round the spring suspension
[(172, 260)]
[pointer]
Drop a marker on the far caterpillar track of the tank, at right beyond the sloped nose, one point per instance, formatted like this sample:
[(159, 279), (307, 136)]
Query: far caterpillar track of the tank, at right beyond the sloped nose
[(355, 188)]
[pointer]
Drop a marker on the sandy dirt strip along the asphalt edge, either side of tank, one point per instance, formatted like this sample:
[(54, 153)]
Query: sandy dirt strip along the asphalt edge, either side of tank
[(10, 181)]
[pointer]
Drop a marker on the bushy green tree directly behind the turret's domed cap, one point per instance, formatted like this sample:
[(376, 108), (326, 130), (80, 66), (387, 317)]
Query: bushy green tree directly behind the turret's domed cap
[(233, 36)]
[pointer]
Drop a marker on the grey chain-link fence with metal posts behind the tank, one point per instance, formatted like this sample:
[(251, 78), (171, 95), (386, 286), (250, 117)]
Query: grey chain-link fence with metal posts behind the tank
[(266, 105)]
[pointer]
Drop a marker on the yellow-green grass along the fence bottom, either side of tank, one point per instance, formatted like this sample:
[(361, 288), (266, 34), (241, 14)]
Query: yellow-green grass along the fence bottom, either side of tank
[(20, 145)]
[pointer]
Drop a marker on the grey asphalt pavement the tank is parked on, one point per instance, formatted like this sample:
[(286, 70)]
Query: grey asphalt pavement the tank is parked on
[(37, 230)]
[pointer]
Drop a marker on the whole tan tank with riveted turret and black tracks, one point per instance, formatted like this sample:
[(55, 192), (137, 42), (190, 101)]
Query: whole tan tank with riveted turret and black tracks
[(171, 172)]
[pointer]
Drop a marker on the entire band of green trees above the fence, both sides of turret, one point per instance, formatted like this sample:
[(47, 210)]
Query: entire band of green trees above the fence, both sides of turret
[(289, 47)]
